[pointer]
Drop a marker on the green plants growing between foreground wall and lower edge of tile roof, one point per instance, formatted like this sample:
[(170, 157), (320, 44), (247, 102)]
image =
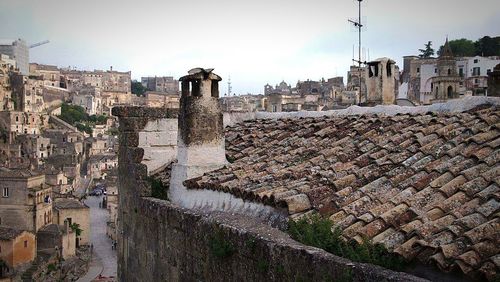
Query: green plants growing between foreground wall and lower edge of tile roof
[(316, 231)]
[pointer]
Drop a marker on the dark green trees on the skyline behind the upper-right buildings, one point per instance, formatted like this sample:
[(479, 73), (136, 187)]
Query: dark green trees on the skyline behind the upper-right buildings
[(485, 46)]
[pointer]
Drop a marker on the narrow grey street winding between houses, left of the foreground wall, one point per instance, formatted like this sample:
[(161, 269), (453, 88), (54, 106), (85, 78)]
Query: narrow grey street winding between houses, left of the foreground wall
[(104, 261)]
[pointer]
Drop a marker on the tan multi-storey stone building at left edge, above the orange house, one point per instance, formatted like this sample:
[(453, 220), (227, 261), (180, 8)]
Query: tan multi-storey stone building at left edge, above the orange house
[(26, 201)]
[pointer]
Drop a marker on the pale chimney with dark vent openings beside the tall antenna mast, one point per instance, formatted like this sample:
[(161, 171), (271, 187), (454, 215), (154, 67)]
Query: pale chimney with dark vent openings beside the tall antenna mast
[(382, 81)]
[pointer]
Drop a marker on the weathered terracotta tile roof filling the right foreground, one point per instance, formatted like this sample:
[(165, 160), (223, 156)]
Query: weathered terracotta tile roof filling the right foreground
[(424, 185)]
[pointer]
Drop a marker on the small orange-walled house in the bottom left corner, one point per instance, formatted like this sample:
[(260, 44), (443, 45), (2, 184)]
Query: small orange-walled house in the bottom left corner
[(17, 247)]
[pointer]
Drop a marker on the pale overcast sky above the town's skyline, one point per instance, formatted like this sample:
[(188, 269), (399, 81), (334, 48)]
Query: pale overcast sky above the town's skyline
[(254, 41)]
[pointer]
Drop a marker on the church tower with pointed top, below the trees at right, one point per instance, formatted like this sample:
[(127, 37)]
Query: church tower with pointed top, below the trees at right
[(446, 81)]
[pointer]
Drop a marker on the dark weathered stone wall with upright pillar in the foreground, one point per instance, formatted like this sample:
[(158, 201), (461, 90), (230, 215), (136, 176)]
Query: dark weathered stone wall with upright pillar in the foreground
[(159, 241)]
